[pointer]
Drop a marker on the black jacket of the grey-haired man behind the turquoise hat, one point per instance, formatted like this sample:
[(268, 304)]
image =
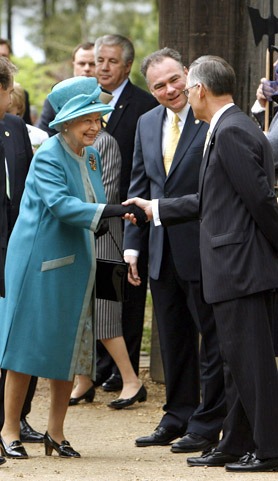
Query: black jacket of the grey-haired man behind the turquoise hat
[(132, 103)]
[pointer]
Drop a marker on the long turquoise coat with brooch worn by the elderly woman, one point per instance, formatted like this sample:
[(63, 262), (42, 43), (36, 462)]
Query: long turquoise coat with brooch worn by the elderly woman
[(50, 265)]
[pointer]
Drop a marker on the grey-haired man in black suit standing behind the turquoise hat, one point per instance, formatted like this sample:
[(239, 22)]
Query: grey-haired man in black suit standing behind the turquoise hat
[(114, 55)]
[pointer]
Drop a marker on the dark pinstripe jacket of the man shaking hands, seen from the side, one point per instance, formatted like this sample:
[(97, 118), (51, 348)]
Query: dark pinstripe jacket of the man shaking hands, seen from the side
[(238, 211)]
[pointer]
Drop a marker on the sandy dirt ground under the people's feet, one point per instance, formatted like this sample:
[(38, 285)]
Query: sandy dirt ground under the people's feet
[(105, 439)]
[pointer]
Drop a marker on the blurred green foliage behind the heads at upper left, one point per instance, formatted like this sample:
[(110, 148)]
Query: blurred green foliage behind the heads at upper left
[(57, 27)]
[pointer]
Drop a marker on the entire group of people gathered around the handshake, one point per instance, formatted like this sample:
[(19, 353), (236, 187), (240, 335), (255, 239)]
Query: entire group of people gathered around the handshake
[(199, 176)]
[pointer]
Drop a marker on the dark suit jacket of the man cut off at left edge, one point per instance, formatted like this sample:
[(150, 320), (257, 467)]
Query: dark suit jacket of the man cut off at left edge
[(18, 151)]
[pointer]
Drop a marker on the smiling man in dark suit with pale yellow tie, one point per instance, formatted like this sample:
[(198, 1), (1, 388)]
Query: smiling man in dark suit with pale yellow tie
[(174, 264)]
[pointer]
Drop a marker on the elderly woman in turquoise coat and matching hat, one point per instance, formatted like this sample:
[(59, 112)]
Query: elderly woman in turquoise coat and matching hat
[(46, 317)]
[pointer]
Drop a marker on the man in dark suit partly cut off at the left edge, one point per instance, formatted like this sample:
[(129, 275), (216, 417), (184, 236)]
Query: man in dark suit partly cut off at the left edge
[(18, 154)]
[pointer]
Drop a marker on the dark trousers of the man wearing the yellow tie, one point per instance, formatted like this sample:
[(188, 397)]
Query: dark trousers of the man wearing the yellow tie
[(180, 314)]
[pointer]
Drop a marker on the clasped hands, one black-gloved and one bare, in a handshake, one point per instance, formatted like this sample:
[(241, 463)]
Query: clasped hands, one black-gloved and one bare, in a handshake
[(138, 211)]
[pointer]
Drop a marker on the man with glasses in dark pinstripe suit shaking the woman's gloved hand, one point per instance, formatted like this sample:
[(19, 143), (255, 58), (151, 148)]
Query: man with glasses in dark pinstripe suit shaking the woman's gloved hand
[(239, 246)]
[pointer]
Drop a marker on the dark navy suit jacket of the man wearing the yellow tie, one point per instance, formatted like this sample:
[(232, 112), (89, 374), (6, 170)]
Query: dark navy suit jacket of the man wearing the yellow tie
[(149, 181)]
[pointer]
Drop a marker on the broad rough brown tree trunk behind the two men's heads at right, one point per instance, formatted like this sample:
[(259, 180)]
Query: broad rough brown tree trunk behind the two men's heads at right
[(218, 27)]
